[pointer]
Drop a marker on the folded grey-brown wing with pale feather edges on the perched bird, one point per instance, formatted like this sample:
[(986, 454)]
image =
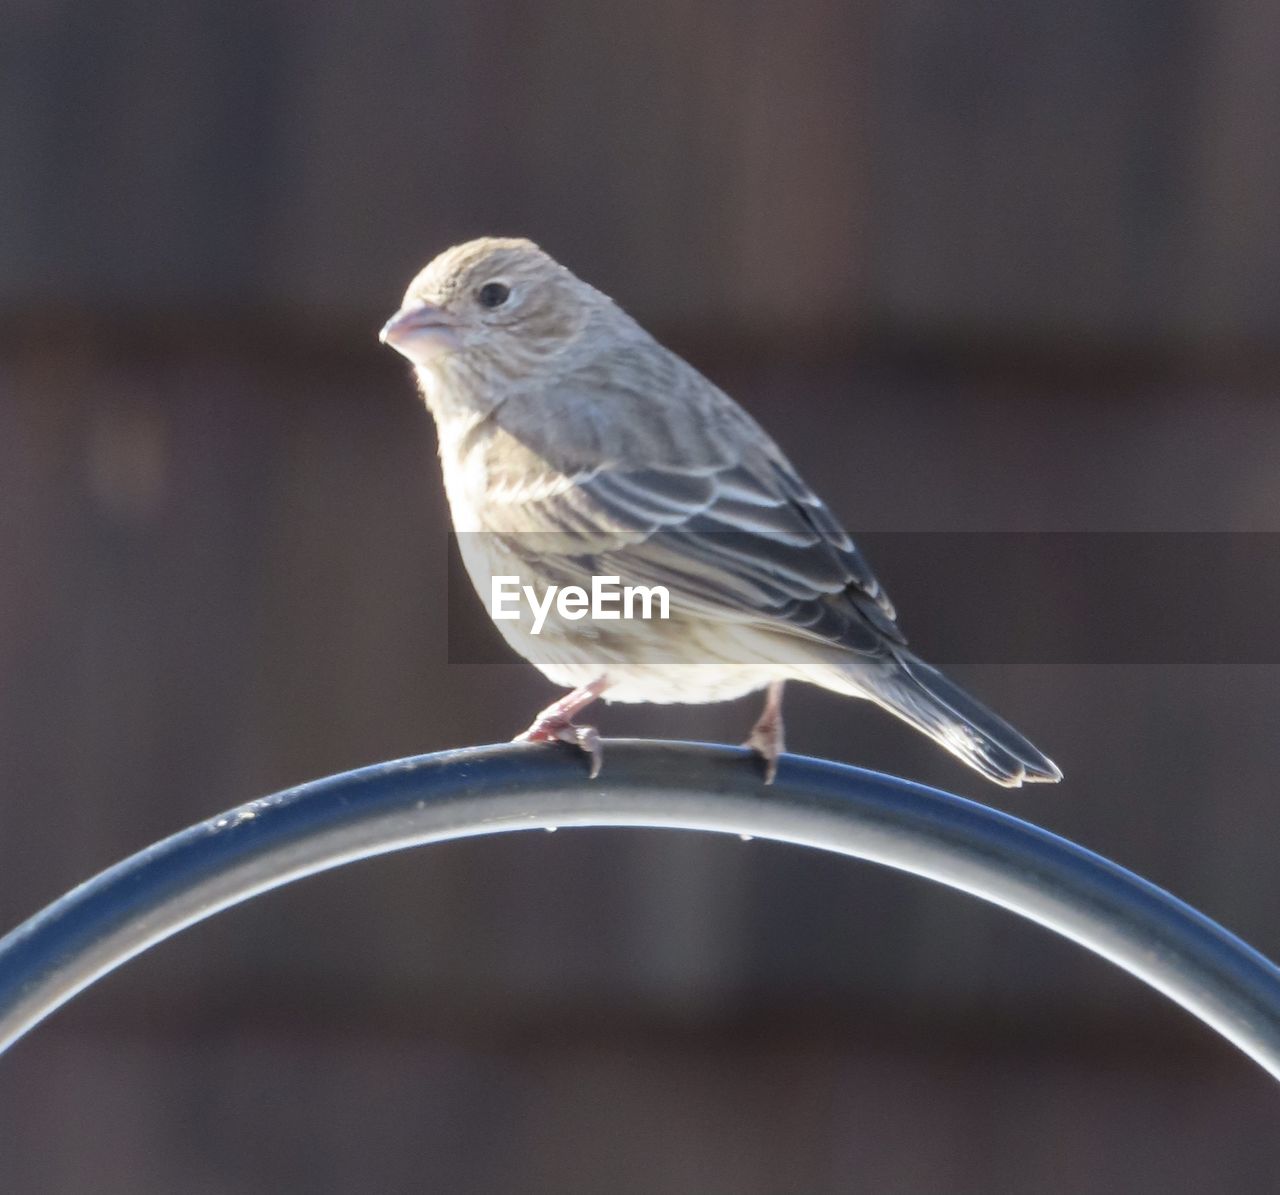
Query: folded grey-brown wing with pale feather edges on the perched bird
[(693, 496)]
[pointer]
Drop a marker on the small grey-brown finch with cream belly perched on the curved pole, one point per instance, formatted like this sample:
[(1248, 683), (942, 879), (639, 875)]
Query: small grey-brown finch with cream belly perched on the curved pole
[(574, 446)]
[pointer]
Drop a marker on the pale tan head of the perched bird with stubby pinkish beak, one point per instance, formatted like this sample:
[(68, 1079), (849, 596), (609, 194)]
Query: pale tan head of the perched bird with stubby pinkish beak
[(496, 304)]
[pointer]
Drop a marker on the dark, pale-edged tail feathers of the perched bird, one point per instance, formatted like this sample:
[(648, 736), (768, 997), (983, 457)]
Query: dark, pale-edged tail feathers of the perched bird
[(921, 695)]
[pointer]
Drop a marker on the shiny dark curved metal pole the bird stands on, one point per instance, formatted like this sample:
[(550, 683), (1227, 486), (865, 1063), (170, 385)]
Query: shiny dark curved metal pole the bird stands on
[(679, 786)]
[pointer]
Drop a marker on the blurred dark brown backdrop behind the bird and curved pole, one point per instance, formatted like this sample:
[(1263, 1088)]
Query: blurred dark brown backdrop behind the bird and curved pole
[(1004, 268)]
